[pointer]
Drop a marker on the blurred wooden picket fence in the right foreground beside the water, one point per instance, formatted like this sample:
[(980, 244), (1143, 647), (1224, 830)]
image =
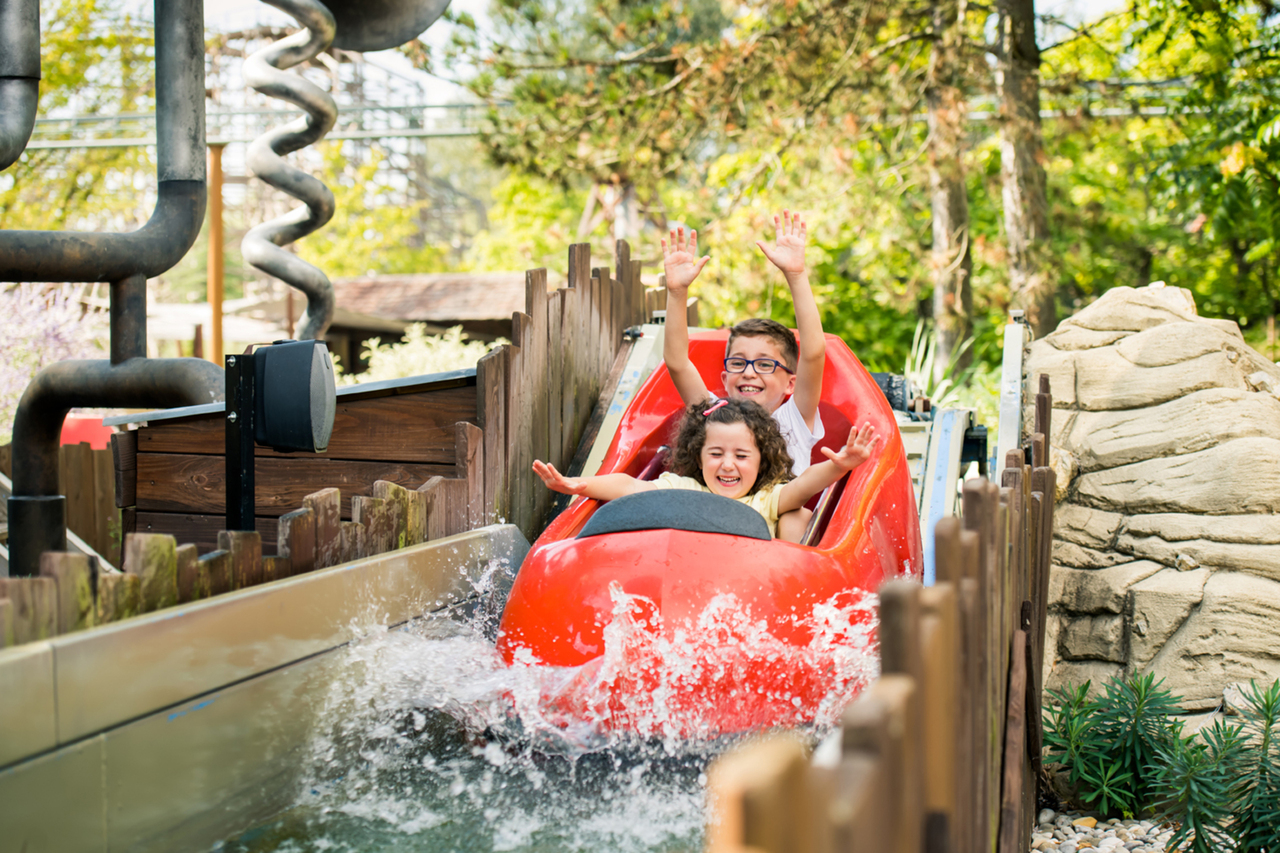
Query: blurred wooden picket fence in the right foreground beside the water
[(943, 751)]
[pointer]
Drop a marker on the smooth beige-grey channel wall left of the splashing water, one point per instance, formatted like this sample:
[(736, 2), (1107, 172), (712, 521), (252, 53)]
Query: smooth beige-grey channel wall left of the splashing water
[(172, 731)]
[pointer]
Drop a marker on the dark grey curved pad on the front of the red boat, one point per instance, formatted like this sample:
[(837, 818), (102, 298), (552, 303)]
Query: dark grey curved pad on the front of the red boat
[(678, 510)]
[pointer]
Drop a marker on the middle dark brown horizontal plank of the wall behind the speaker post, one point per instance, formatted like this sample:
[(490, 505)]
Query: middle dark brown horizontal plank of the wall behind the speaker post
[(196, 485)]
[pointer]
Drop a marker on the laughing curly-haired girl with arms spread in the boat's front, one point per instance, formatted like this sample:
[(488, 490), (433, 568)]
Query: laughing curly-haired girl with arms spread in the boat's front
[(733, 449)]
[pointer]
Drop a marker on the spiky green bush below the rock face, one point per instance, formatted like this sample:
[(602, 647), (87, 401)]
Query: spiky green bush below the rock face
[(1126, 755)]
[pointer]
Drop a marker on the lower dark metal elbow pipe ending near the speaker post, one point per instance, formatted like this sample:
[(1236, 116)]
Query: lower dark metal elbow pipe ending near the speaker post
[(38, 513)]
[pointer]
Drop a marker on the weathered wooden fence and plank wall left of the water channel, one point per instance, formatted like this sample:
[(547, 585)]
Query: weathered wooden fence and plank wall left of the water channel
[(408, 463)]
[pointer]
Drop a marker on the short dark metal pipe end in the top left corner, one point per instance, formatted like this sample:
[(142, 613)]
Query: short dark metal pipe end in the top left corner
[(20, 76)]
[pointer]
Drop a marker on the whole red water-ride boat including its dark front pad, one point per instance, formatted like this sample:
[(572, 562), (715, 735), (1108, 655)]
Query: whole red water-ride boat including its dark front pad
[(662, 560)]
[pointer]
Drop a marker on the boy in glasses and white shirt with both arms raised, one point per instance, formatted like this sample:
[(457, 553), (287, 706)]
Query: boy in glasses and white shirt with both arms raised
[(762, 361)]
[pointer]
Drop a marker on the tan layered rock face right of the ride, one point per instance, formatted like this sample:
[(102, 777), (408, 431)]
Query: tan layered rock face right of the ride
[(1167, 544)]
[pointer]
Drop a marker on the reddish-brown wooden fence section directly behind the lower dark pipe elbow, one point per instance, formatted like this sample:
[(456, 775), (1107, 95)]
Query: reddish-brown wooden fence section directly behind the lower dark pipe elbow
[(88, 481)]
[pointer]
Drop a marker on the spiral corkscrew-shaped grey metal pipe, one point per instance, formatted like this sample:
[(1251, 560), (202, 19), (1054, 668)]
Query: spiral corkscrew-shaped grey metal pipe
[(263, 247)]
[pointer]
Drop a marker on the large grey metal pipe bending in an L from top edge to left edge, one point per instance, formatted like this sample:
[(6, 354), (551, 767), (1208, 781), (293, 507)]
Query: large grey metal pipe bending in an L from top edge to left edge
[(83, 257)]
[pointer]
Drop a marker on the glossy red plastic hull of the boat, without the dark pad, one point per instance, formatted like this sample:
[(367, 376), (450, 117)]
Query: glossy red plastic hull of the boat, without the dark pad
[(561, 601)]
